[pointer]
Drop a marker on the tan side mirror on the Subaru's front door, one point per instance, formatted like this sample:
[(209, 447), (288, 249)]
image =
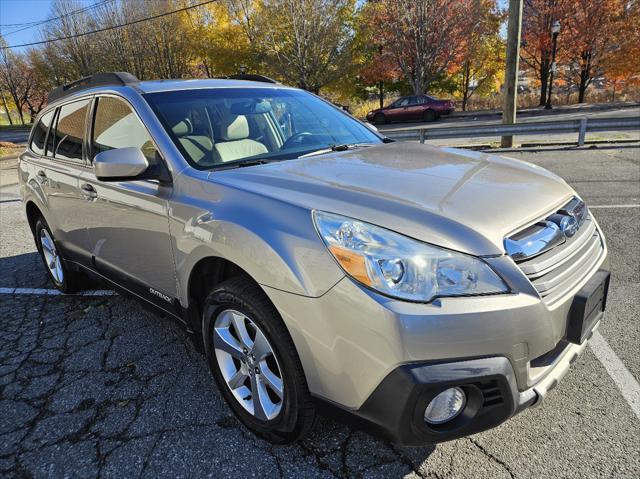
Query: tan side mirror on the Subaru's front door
[(120, 164)]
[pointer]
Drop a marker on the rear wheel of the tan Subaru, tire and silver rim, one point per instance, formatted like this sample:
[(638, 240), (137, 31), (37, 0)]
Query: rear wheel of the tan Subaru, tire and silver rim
[(63, 278)]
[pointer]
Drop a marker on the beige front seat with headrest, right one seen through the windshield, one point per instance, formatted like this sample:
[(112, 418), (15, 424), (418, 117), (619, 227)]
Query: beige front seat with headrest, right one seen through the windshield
[(233, 142)]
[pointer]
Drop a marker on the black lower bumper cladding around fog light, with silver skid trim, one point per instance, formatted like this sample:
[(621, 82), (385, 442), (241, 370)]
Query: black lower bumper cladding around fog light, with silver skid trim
[(395, 409)]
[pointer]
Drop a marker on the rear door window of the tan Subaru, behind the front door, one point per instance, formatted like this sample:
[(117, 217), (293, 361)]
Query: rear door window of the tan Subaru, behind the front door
[(69, 131)]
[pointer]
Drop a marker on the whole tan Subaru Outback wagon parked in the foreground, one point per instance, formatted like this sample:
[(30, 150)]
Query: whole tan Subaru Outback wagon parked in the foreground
[(422, 294)]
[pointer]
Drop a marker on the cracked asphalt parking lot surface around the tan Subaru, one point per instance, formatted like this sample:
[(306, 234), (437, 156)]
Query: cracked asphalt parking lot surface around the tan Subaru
[(97, 386)]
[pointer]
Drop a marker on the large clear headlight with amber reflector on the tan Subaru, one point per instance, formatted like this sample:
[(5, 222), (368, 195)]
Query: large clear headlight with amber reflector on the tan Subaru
[(403, 267)]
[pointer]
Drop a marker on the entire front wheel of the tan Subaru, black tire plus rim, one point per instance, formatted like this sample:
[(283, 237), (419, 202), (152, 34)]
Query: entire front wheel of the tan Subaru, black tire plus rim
[(255, 363)]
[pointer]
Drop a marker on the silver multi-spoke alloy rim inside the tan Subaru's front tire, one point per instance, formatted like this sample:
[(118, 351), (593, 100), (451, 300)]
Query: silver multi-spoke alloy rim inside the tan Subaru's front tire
[(248, 364)]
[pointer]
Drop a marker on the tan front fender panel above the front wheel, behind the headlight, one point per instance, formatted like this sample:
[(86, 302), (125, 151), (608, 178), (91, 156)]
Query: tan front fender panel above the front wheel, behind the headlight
[(274, 242)]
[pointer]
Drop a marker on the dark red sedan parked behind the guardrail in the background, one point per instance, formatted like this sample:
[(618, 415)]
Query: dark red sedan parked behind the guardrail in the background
[(421, 107)]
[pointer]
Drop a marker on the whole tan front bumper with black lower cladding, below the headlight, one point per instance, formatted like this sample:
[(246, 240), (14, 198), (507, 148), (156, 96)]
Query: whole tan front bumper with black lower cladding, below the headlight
[(354, 342)]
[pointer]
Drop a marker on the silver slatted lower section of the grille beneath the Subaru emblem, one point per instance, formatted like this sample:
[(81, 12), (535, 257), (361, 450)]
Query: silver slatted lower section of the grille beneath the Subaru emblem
[(557, 270)]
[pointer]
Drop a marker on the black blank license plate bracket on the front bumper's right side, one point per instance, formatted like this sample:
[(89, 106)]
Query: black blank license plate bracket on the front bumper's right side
[(588, 306)]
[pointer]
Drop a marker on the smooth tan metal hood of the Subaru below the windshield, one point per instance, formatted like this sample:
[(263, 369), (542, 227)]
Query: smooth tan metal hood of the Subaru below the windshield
[(458, 199)]
